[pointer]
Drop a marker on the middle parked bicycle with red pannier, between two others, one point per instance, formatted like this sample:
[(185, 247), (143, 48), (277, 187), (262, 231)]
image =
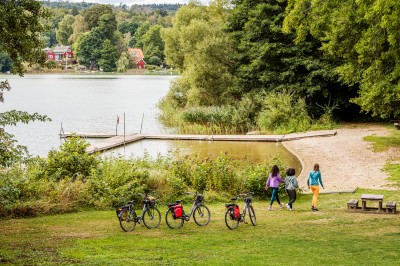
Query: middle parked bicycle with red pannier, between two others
[(175, 215)]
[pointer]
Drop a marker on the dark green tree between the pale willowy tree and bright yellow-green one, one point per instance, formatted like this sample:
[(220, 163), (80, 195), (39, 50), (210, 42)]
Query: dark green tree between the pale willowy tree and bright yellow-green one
[(268, 59)]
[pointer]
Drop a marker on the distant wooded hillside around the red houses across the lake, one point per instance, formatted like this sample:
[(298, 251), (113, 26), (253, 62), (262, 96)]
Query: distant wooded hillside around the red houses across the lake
[(101, 34)]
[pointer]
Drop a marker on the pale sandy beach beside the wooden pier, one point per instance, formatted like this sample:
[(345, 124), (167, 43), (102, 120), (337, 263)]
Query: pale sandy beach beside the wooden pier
[(346, 161)]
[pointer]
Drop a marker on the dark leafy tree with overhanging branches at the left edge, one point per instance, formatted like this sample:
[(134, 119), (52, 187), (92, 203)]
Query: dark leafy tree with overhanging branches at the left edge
[(21, 42)]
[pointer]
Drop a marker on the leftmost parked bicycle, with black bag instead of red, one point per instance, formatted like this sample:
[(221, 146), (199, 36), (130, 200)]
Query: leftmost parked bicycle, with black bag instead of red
[(150, 216)]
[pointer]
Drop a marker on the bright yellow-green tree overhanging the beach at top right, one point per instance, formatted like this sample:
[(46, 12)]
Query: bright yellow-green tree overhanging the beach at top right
[(364, 37)]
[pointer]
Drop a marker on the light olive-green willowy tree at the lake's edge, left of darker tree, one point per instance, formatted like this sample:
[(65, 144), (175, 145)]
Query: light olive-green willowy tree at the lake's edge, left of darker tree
[(199, 47)]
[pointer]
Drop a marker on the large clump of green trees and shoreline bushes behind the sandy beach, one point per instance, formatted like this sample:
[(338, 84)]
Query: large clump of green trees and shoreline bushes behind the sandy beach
[(282, 65)]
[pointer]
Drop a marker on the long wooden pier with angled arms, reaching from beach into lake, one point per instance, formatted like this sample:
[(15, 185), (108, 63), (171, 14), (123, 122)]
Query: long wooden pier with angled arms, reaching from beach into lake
[(111, 141)]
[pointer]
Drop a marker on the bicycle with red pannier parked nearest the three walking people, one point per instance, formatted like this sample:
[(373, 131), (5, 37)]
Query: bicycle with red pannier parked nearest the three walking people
[(233, 215)]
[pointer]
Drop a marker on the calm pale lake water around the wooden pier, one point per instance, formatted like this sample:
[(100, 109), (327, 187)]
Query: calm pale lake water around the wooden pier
[(91, 103)]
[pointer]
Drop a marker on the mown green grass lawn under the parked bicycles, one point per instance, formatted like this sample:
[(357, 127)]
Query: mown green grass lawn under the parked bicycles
[(332, 236)]
